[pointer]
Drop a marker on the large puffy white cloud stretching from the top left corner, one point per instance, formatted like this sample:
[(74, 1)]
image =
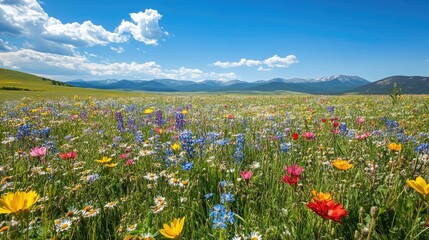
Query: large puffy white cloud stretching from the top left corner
[(27, 19)]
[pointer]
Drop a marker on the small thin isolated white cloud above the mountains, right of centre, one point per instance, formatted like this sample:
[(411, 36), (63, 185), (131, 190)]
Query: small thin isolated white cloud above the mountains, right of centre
[(274, 61)]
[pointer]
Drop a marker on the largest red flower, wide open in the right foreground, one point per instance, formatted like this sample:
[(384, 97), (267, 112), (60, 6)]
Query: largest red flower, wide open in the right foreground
[(328, 209)]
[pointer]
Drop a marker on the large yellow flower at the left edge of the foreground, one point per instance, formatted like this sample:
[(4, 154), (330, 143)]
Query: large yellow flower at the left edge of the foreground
[(18, 201)]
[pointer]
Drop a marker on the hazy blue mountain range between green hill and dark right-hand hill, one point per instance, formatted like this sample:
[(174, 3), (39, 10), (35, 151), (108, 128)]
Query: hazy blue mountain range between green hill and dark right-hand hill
[(326, 85)]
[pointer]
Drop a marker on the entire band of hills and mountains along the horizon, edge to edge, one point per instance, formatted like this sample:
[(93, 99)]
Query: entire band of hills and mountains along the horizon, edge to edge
[(337, 84)]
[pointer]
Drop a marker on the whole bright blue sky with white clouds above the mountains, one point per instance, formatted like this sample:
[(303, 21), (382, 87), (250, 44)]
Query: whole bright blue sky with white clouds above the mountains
[(198, 39)]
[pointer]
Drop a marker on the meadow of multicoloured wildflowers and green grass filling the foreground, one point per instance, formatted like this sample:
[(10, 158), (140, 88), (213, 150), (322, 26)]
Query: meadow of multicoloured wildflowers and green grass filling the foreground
[(215, 167)]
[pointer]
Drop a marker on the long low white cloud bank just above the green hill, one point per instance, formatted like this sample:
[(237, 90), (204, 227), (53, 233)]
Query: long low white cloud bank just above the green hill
[(71, 67)]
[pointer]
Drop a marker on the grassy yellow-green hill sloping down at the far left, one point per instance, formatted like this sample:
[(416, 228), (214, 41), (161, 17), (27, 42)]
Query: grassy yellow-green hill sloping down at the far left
[(15, 84)]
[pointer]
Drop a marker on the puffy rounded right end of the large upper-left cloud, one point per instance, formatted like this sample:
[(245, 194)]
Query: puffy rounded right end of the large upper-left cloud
[(145, 27)]
